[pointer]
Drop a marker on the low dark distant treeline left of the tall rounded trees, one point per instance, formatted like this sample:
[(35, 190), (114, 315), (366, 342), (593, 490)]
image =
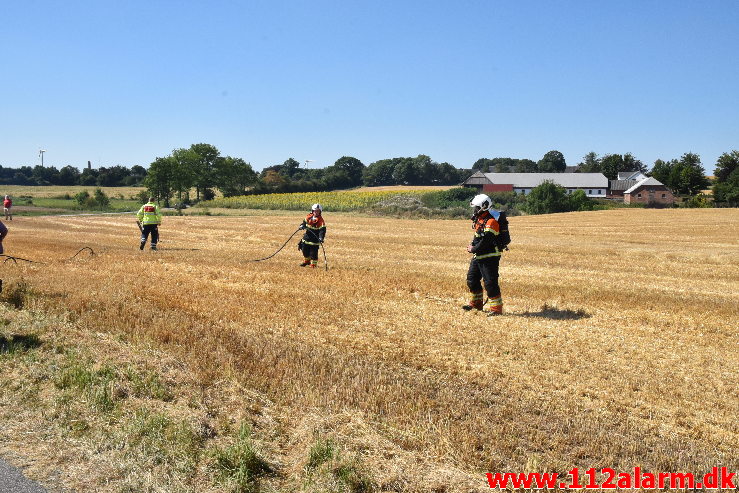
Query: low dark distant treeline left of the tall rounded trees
[(114, 176)]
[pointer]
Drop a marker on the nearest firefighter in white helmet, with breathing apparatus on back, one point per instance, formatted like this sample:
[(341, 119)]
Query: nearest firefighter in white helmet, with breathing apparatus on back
[(485, 257)]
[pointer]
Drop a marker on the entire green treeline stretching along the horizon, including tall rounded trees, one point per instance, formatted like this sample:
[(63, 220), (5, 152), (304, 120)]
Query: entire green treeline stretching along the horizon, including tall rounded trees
[(202, 167)]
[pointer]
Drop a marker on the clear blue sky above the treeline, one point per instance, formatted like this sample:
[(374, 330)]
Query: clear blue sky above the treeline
[(124, 82)]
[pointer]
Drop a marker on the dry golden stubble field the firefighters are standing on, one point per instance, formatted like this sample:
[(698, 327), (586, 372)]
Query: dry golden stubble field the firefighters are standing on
[(619, 346)]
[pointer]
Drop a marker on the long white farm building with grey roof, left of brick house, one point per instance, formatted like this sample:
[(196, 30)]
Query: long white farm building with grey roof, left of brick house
[(594, 184)]
